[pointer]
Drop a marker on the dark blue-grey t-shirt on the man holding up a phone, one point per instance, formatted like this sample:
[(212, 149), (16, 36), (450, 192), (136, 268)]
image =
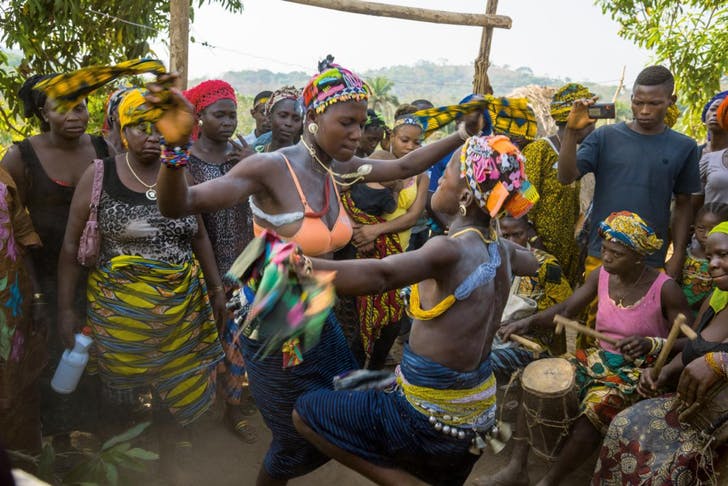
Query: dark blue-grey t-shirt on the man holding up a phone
[(638, 173)]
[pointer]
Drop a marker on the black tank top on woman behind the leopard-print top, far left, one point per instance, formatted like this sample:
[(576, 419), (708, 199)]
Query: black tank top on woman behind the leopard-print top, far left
[(48, 203)]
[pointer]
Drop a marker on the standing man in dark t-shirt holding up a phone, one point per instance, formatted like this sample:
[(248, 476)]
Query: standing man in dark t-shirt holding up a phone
[(638, 166)]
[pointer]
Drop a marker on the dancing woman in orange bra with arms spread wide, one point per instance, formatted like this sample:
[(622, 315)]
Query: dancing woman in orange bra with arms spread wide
[(293, 192)]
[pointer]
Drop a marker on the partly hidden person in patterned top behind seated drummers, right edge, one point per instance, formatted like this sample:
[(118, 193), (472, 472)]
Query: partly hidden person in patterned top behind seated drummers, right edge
[(696, 282)]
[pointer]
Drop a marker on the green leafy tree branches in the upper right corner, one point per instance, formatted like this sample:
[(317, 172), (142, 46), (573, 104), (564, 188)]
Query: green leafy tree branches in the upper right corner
[(689, 36)]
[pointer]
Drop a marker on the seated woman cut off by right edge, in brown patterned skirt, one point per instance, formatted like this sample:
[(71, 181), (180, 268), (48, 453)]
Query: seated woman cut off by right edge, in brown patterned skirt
[(650, 432)]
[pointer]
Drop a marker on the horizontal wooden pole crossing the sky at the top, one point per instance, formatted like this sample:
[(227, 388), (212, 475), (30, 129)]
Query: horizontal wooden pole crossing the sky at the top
[(411, 13)]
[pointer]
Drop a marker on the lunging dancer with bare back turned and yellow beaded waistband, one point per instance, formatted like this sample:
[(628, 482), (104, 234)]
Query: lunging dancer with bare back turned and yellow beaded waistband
[(432, 425)]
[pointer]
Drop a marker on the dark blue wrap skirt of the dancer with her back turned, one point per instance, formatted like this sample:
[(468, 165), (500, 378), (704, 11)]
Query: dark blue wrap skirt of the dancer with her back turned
[(384, 429)]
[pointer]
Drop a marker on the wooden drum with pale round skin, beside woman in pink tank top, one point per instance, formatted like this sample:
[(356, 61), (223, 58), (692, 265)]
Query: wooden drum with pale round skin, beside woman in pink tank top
[(550, 404)]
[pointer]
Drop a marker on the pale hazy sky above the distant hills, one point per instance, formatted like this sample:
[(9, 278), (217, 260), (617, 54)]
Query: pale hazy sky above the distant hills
[(563, 38)]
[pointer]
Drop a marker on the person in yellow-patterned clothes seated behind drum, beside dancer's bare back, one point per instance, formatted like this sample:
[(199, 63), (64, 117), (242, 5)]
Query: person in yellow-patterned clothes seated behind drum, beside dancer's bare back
[(529, 295)]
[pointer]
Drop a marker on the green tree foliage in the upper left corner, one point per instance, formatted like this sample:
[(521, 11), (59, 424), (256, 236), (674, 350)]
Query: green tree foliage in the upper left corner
[(54, 35)]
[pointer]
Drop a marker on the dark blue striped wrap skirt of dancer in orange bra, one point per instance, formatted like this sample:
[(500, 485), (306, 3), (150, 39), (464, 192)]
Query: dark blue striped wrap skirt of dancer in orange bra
[(275, 390)]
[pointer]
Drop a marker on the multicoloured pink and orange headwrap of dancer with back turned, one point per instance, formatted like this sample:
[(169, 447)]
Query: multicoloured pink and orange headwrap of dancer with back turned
[(493, 169)]
